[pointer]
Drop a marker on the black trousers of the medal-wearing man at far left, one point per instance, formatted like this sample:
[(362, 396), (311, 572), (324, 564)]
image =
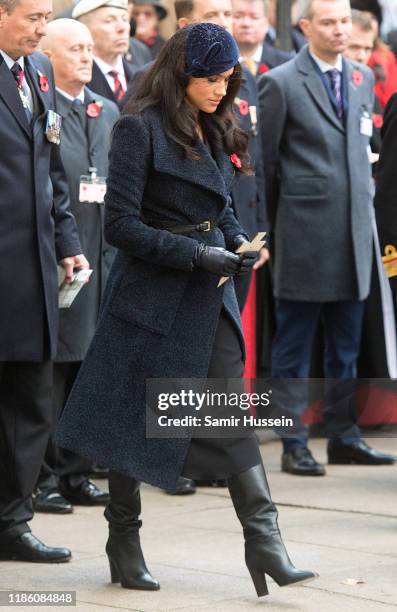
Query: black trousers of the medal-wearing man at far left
[(25, 425)]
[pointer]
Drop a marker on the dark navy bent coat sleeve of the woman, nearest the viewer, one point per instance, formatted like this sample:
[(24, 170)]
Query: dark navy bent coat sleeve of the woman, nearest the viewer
[(130, 163)]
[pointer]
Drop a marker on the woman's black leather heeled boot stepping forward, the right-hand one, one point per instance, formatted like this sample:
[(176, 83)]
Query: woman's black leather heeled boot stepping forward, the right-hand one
[(265, 552)]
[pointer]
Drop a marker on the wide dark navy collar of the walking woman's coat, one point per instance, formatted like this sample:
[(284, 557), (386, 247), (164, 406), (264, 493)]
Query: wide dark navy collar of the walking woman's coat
[(213, 173)]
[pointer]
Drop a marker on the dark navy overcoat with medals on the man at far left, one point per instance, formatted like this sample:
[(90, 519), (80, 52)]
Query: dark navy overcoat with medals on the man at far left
[(36, 225)]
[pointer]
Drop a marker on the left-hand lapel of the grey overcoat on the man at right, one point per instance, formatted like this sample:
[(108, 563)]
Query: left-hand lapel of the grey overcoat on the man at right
[(316, 89)]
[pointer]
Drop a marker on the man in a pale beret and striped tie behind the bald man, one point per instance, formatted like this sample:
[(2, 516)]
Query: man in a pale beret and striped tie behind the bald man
[(108, 22)]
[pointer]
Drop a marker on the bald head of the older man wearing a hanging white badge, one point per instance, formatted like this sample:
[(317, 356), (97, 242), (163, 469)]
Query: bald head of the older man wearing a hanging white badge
[(69, 46)]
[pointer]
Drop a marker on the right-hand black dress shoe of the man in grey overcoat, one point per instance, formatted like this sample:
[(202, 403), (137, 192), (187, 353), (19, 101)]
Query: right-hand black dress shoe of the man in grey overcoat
[(358, 453)]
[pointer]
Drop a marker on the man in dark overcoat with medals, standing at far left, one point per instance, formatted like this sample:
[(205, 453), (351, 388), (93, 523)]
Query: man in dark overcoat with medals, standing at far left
[(37, 230)]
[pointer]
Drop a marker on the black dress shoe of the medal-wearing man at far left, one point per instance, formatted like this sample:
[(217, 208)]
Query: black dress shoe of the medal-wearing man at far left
[(28, 548)]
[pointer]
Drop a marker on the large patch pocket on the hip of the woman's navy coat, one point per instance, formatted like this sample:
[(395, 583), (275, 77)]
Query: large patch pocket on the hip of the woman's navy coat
[(149, 296)]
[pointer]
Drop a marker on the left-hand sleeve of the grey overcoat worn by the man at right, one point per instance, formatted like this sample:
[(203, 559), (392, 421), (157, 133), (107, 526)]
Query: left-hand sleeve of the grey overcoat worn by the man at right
[(272, 118)]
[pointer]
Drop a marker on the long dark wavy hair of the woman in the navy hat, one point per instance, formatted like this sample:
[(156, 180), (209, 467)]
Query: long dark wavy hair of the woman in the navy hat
[(164, 85)]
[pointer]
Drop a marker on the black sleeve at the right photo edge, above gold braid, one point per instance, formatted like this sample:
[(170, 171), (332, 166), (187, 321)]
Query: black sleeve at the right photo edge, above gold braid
[(386, 180)]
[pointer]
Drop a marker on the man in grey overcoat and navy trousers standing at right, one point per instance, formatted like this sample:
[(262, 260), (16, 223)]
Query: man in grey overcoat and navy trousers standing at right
[(316, 124)]
